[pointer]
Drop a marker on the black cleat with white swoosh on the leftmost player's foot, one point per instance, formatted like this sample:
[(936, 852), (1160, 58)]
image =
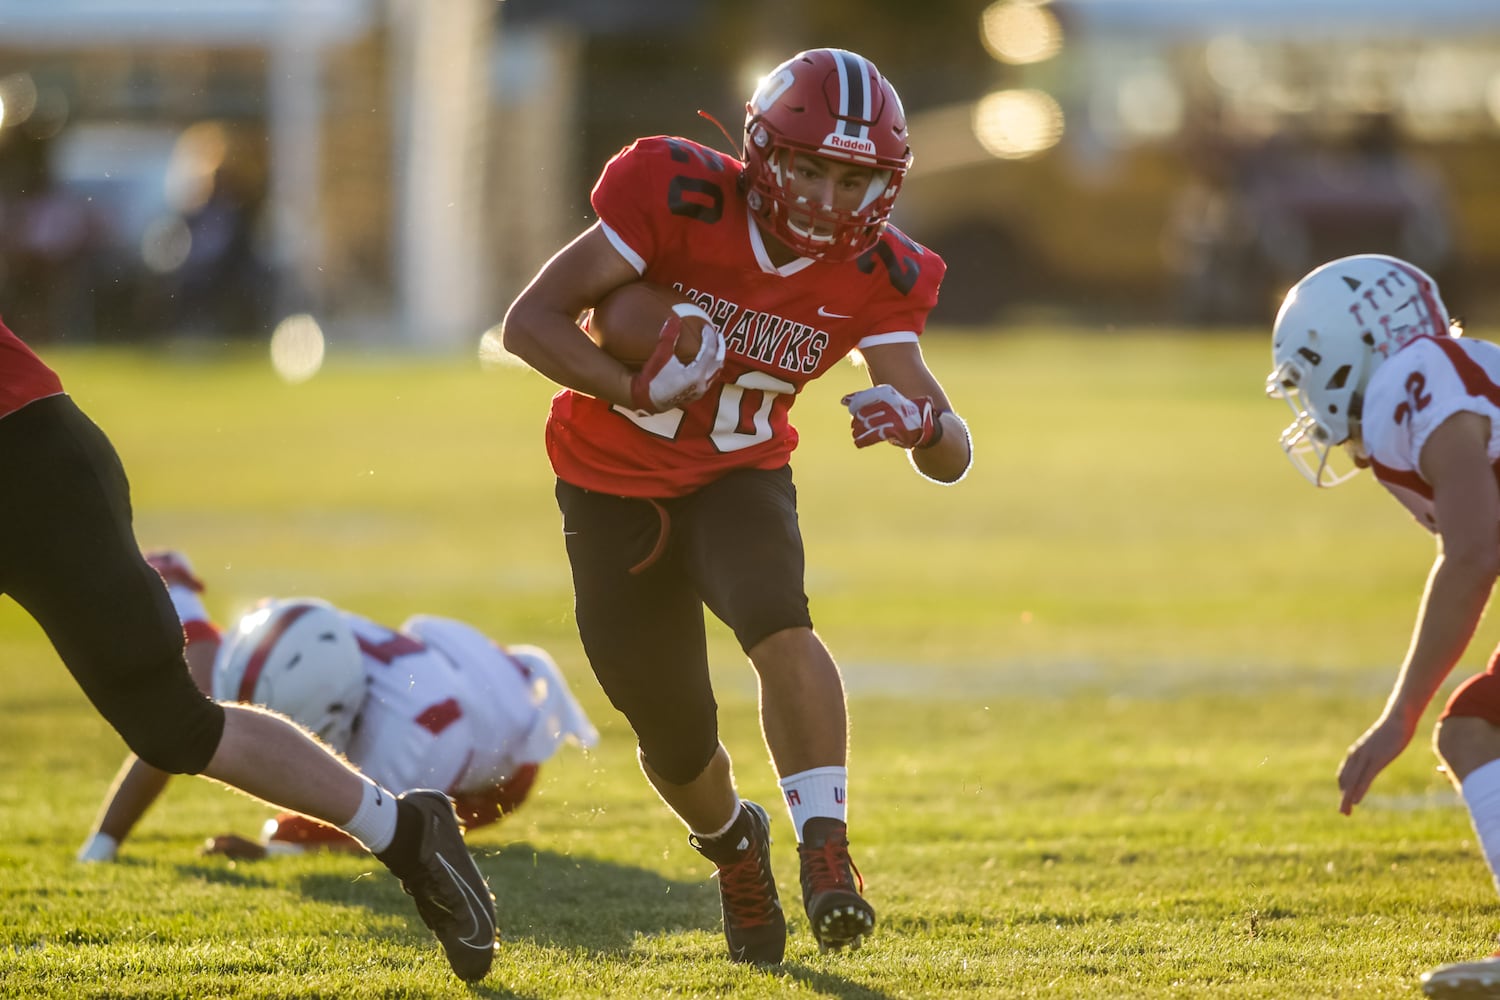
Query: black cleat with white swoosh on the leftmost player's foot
[(451, 893)]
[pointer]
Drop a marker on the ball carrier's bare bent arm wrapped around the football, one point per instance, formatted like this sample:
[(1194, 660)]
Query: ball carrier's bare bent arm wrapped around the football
[(542, 326)]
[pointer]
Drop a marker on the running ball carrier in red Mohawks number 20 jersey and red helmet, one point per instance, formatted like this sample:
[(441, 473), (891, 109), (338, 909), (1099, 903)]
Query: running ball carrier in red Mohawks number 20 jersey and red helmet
[(674, 482)]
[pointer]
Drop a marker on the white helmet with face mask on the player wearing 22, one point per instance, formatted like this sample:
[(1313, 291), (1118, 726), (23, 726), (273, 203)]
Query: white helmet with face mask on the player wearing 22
[(1333, 332)]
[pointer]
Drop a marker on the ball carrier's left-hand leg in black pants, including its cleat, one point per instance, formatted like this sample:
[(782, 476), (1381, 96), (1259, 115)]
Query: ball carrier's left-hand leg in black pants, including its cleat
[(643, 627)]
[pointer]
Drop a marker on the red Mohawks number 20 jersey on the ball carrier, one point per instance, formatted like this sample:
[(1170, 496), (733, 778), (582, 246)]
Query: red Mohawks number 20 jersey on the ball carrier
[(674, 209)]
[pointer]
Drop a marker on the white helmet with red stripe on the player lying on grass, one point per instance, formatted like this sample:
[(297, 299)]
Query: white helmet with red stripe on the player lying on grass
[(301, 659)]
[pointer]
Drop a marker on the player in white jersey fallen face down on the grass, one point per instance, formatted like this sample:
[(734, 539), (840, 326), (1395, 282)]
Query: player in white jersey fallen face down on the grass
[(431, 705)]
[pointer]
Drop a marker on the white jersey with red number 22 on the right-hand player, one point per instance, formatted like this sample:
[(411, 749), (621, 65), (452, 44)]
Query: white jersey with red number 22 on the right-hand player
[(1411, 395)]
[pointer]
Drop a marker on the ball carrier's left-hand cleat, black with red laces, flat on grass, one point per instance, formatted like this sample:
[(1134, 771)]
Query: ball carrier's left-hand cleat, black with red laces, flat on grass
[(755, 927)]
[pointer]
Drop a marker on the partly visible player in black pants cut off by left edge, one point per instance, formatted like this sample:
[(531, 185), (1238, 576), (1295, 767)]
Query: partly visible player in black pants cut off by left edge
[(68, 555)]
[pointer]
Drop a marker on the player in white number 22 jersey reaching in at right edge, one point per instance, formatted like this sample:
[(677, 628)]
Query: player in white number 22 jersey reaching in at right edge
[(1367, 358)]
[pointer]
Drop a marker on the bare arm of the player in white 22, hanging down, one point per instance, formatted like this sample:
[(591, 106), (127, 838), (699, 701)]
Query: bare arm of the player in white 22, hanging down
[(1466, 499)]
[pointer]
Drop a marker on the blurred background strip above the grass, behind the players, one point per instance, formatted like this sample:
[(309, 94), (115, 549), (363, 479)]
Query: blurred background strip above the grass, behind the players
[(394, 172)]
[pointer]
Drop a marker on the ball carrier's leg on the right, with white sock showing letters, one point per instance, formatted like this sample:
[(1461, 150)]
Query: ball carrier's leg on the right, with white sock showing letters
[(745, 549)]
